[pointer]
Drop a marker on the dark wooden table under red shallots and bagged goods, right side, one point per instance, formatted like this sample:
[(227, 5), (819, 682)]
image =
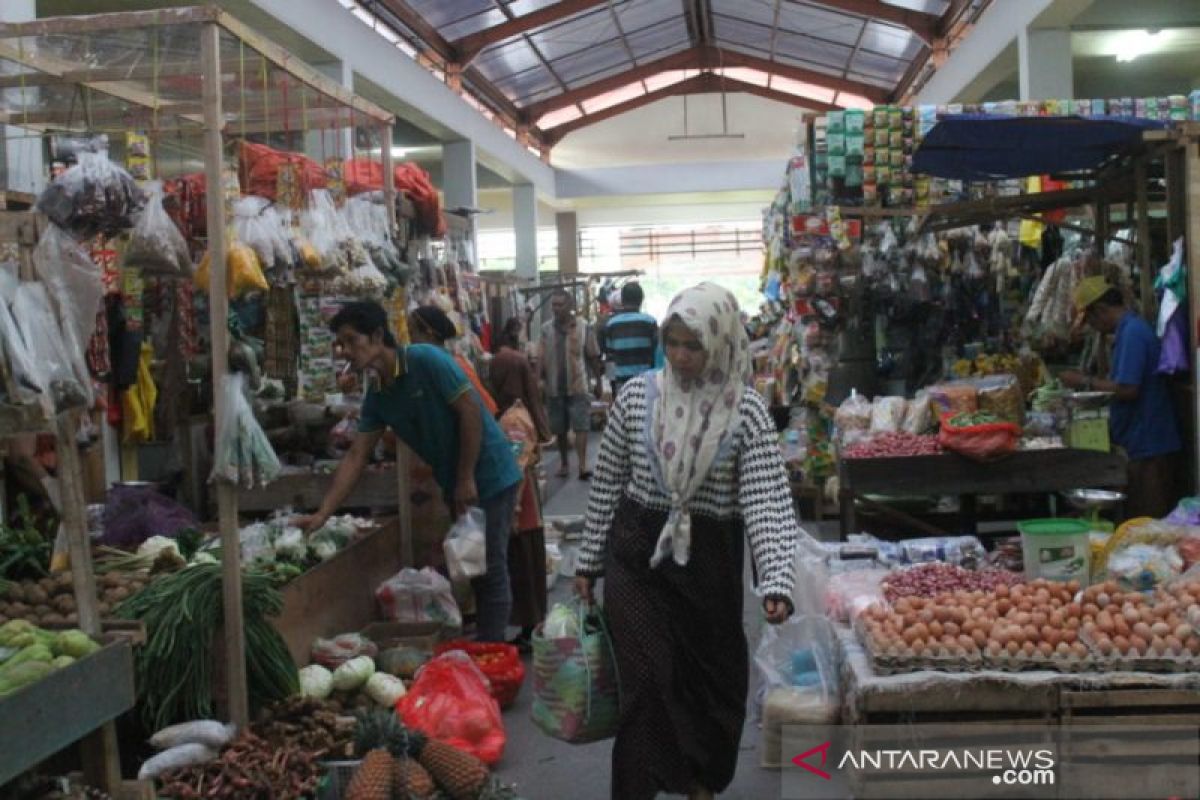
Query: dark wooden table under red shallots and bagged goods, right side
[(1033, 472)]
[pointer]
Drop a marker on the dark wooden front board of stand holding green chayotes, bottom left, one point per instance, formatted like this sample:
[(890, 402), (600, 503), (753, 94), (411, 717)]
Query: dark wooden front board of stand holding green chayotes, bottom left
[(65, 707)]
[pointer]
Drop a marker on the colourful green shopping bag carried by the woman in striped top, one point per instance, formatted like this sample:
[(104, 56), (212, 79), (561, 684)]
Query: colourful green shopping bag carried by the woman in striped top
[(577, 687)]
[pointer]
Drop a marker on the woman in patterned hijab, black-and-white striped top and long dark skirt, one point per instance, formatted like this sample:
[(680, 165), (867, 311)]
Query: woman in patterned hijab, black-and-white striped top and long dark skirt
[(689, 467)]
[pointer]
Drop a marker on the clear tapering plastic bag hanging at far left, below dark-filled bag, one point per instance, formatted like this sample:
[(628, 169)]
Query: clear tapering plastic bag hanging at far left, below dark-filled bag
[(76, 291)]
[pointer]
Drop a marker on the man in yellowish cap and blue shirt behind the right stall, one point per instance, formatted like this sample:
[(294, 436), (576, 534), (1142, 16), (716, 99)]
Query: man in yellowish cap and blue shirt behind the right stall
[(1142, 419)]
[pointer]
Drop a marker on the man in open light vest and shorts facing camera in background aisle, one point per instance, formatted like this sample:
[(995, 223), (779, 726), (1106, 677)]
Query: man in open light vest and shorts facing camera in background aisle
[(569, 360)]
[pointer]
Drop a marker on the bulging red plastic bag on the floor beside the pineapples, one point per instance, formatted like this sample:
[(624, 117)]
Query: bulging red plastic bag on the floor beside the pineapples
[(452, 702)]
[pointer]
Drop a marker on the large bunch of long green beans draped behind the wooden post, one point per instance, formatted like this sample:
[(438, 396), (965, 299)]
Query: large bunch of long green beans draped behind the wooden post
[(183, 612)]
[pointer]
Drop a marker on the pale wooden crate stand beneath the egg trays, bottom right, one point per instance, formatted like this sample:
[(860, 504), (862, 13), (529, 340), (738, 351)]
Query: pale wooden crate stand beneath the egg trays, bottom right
[(1132, 715)]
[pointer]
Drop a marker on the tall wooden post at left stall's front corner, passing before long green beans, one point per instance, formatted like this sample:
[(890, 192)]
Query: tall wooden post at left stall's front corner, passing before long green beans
[(219, 322)]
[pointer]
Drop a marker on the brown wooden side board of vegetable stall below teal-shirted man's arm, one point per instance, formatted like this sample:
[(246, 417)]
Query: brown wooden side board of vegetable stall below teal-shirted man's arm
[(339, 596)]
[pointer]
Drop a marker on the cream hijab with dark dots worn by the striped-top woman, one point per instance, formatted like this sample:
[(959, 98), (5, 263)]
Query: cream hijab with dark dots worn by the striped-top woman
[(692, 418)]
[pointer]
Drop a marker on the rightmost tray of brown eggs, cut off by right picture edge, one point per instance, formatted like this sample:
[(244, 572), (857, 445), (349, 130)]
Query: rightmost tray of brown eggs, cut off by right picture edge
[(1131, 625)]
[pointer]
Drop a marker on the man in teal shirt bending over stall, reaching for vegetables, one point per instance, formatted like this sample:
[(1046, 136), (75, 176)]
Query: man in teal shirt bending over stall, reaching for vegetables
[(429, 404)]
